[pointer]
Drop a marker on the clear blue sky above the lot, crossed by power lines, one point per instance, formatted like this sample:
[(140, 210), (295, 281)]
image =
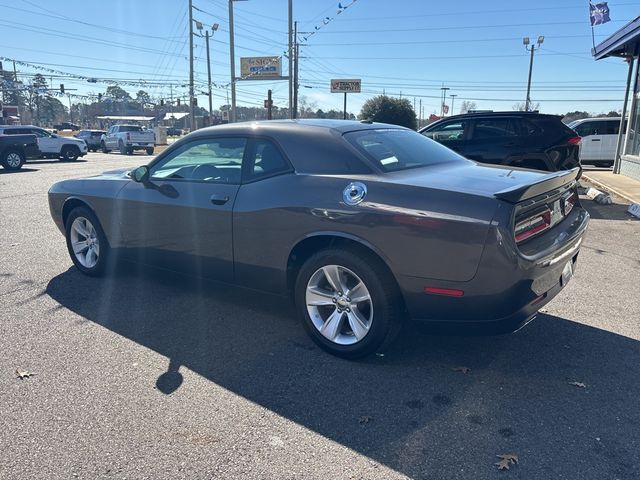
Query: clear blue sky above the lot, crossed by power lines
[(407, 47)]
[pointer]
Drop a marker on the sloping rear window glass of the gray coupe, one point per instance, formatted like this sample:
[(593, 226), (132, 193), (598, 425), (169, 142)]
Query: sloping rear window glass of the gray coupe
[(392, 150)]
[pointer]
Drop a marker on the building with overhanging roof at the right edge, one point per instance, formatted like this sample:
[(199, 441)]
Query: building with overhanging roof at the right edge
[(625, 44)]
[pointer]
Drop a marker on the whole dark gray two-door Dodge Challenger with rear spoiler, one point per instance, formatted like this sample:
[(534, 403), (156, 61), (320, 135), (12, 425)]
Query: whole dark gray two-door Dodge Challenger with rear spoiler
[(362, 224)]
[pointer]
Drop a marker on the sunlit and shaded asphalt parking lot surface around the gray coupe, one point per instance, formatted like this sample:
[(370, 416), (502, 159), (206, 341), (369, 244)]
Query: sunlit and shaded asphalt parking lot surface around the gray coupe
[(150, 375)]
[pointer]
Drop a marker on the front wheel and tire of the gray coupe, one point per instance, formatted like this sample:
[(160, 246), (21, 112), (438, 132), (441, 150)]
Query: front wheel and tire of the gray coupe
[(86, 242)]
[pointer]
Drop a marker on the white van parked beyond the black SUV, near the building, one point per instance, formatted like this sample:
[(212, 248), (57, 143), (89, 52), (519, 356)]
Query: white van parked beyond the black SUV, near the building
[(599, 139)]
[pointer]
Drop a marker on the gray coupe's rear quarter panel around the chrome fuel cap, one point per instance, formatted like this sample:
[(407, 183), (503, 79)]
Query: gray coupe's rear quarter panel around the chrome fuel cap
[(417, 231)]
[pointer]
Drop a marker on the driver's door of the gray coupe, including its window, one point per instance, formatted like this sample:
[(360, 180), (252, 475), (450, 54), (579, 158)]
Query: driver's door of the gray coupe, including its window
[(182, 216)]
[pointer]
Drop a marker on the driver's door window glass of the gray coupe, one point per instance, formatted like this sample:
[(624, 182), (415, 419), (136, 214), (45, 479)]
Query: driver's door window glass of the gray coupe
[(216, 160)]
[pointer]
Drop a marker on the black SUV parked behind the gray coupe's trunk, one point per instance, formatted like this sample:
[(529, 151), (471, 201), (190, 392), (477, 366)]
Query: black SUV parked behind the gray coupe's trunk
[(519, 139)]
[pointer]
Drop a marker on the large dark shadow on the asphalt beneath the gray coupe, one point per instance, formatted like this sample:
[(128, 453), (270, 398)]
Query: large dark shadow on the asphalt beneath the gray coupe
[(561, 395)]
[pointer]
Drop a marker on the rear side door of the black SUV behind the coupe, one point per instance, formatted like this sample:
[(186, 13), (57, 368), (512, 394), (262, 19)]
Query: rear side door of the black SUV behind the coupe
[(494, 140)]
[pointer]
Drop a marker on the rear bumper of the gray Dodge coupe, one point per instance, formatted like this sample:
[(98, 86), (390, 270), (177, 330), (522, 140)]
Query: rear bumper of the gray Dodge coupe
[(509, 287)]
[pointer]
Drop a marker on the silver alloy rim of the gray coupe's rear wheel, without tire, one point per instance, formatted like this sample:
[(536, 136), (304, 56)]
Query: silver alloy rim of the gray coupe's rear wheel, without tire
[(339, 305)]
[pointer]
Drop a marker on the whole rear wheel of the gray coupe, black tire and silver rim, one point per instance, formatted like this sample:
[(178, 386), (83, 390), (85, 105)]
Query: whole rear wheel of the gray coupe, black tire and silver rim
[(349, 302)]
